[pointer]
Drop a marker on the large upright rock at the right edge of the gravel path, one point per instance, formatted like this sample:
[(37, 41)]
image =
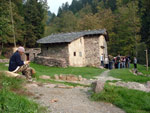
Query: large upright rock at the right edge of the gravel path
[(98, 86)]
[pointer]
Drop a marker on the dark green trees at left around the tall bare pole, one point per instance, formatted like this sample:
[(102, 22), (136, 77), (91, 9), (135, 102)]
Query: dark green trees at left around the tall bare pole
[(29, 18)]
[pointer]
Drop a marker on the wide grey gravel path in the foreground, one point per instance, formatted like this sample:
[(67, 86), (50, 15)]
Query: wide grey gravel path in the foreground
[(74, 100)]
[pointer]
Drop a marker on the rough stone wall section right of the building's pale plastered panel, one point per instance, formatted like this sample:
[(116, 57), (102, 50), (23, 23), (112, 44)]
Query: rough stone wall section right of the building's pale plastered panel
[(92, 56)]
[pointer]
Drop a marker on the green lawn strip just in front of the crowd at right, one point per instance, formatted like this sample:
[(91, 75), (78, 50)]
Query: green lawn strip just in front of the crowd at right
[(127, 76)]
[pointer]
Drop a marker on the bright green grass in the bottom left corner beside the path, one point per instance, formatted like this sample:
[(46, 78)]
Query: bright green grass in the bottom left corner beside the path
[(13, 103)]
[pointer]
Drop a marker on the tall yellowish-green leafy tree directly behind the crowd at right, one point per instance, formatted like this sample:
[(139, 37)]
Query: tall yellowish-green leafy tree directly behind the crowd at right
[(127, 28)]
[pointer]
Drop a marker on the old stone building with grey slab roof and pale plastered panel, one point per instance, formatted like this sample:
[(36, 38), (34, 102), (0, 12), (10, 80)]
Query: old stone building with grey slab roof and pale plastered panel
[(73, 49)]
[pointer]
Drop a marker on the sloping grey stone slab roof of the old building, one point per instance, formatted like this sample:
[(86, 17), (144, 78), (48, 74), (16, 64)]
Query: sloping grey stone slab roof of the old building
[(69, 37)]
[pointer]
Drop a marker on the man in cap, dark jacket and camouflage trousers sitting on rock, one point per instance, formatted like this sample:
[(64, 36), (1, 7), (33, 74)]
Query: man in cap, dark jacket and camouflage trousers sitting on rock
[(17, 65)]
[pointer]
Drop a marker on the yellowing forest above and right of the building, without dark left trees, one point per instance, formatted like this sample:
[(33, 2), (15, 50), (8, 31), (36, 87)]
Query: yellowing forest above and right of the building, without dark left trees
[(127, 22)]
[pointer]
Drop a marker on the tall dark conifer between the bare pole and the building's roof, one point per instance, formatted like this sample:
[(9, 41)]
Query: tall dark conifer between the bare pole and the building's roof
[(34, 16)]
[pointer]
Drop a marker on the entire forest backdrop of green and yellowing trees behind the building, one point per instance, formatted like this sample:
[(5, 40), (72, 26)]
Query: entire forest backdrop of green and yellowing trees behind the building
[(127, 22)]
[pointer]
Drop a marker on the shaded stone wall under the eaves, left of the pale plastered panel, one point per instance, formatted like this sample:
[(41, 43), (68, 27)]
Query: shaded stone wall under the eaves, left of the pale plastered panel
[(57, 51)]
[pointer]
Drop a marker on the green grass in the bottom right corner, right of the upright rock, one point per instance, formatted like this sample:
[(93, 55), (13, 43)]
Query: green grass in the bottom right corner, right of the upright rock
[(131, 101)]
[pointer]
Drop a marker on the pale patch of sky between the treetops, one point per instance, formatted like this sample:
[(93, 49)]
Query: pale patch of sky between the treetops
[(55, 4)]
